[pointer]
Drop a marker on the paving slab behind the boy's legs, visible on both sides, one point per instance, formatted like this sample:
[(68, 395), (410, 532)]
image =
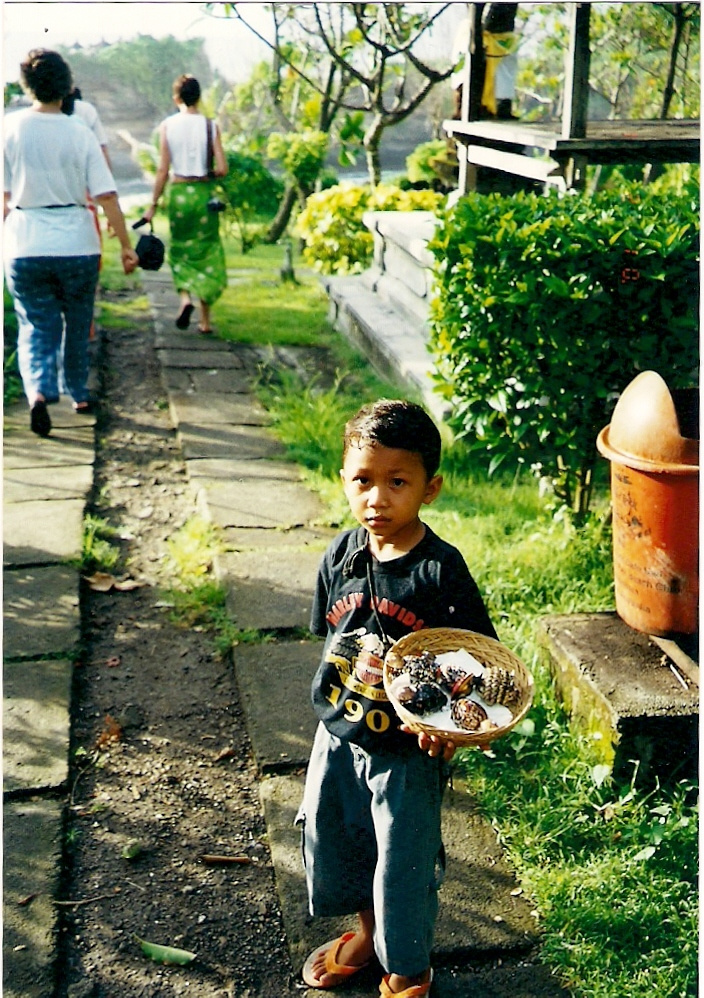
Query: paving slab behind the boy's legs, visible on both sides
[(478, 914)]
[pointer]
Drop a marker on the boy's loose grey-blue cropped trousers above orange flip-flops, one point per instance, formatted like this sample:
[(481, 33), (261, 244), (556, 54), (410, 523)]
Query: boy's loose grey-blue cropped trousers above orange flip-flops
[(371, 838)]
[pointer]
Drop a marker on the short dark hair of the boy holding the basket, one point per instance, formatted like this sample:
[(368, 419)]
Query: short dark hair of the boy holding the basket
[(399, 424)]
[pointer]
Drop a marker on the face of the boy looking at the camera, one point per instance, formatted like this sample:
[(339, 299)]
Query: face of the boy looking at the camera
[(386, 487)]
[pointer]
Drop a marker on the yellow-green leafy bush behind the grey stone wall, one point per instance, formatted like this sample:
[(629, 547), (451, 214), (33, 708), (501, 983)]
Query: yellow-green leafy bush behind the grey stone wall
[(336, 239)]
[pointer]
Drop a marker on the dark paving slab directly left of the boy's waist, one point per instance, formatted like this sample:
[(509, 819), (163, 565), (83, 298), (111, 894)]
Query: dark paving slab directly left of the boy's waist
[(274, 682)]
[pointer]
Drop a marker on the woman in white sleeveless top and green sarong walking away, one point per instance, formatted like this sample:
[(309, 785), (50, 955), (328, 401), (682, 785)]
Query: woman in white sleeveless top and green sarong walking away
[(191, 146)]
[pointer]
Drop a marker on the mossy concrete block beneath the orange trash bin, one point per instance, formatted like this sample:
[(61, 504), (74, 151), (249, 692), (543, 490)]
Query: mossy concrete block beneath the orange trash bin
[(618, 687)]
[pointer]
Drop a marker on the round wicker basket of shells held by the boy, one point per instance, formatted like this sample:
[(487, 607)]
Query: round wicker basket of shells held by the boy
[(458, 684)]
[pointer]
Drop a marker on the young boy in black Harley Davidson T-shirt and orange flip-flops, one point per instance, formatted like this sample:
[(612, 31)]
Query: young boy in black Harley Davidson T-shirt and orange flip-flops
[(371, 809)]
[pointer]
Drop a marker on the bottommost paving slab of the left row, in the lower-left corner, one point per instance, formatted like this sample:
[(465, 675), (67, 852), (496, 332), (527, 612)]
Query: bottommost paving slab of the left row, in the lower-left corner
[(31, 865)]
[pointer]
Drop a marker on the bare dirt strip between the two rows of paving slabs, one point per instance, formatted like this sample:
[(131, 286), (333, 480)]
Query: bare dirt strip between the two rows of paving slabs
[(161, 763)]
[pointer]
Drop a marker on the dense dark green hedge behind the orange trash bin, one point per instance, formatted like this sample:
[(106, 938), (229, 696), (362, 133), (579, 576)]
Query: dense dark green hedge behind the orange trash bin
[(547, 308)]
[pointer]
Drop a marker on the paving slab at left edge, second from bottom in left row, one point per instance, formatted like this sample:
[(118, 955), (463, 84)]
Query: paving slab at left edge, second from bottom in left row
[(36, 724)]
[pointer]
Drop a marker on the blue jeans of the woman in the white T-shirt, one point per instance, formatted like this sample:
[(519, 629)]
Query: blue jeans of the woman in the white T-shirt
[(54, 298)]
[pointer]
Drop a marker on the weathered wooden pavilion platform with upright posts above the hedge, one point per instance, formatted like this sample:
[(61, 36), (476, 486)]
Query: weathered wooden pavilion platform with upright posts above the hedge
[(564, 147)]
